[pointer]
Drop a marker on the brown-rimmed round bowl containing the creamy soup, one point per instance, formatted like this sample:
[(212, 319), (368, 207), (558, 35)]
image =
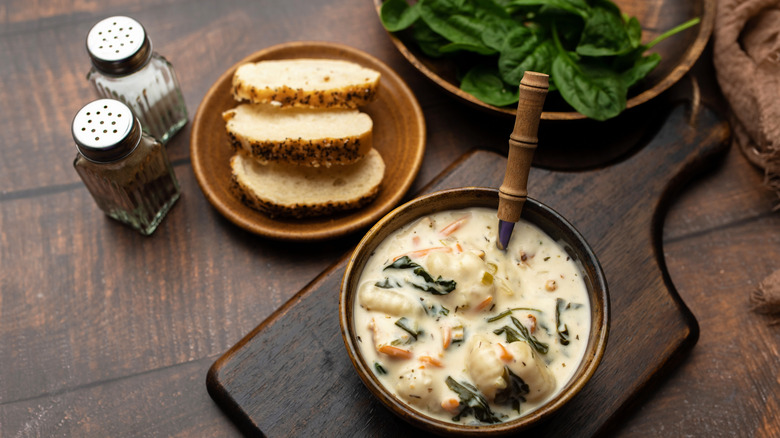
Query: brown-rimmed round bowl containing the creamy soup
[(535, 212)]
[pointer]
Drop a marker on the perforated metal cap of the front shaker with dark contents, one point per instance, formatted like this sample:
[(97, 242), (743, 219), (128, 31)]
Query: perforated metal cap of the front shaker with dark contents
[(105, 130)]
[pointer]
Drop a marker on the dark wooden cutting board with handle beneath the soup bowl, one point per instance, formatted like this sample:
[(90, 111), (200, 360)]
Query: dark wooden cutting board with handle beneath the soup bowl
[(291, 376)]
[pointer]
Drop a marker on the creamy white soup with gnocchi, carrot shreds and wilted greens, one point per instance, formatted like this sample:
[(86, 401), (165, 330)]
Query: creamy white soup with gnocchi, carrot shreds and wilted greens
[(465, 332)]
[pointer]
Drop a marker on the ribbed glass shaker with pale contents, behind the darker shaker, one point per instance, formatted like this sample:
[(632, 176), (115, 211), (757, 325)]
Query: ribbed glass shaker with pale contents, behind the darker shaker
[(124, 67)]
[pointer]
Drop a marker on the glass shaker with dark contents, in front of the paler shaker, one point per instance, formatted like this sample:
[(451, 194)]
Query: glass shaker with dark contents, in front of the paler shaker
[(126, 171)]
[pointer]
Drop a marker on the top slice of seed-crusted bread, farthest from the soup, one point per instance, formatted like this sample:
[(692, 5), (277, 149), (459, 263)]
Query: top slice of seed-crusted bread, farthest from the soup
[(308, 83)]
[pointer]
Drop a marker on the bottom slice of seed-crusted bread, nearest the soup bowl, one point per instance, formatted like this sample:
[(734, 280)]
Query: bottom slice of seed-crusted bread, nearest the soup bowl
[(294, 191)]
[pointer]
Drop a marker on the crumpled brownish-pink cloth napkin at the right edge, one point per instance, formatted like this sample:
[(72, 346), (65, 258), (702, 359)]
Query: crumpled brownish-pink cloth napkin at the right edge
[(746, 55)]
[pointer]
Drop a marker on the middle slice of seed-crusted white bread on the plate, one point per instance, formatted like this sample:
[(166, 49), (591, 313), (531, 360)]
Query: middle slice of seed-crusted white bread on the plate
[(307, 137)]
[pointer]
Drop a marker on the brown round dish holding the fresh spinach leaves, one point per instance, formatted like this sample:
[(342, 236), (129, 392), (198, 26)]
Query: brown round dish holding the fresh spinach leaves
[(678, 54)]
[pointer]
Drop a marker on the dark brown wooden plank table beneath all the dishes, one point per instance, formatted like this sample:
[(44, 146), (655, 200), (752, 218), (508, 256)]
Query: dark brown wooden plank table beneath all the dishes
[(104, 332)]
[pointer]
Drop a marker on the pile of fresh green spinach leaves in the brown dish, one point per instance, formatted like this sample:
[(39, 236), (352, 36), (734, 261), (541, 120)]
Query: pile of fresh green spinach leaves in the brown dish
[(593, 56)]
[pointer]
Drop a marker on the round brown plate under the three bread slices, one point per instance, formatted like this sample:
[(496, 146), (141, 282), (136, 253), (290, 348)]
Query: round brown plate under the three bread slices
[(399, 136)]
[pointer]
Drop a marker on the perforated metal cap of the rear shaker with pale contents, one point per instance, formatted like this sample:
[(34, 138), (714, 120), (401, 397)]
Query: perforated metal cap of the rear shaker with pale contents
[(118, 45)]
